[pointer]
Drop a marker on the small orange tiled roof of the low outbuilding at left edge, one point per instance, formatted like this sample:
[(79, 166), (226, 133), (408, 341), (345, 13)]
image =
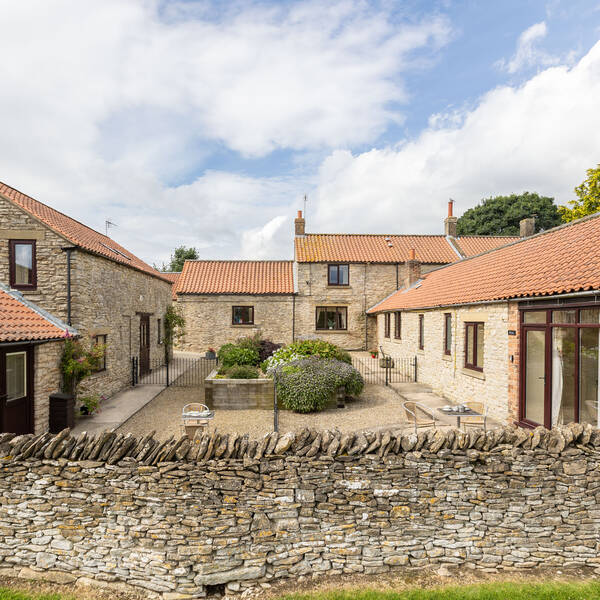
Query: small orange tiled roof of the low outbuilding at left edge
[(21, 320)]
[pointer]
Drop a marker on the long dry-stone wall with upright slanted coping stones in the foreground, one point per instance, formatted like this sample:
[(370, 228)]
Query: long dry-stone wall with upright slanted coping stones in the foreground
[(179, 519)]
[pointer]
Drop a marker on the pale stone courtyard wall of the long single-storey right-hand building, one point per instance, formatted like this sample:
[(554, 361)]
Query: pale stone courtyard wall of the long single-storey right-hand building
[(447, 374)]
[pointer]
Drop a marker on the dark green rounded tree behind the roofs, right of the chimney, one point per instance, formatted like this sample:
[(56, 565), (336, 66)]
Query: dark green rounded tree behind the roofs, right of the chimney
[(500, 215)]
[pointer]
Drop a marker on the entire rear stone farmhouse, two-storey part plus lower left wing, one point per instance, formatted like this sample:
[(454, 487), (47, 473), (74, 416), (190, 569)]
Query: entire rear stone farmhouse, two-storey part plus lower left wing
[(323, 293)]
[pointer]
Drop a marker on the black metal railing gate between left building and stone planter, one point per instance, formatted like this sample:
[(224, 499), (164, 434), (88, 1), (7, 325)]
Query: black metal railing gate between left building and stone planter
[(182, 371)]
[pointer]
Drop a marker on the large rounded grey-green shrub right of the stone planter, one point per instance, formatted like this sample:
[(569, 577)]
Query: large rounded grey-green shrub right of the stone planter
[(306, 385)]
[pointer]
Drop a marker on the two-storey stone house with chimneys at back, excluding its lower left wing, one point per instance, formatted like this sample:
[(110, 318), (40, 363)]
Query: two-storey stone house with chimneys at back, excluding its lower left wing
[(340, 276)]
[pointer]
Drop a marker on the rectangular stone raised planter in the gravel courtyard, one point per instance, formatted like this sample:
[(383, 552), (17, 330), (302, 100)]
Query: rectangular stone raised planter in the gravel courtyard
[(241, 394)]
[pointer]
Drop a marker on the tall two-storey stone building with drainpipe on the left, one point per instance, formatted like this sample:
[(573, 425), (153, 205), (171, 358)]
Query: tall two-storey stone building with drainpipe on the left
[(86, 280)]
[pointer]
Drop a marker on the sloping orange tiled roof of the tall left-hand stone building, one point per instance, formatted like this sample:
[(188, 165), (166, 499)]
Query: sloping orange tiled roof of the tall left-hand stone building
[(75, 232)]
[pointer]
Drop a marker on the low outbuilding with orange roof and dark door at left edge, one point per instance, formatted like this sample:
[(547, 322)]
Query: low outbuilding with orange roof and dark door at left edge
[(31, 342)]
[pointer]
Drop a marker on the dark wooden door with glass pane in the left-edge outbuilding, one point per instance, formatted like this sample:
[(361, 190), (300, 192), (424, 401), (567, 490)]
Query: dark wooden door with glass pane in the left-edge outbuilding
[(16, 389)]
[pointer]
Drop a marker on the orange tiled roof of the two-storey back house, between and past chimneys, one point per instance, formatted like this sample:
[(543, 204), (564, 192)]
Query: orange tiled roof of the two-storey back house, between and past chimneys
[(357, 248)]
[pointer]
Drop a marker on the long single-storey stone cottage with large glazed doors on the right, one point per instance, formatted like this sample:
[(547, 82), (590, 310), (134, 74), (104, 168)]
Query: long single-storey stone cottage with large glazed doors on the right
[(517, 327)]
